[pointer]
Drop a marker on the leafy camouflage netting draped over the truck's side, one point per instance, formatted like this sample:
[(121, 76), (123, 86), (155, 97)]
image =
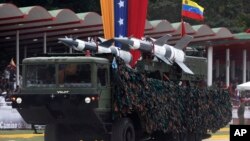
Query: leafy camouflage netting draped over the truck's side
[(168, 107)]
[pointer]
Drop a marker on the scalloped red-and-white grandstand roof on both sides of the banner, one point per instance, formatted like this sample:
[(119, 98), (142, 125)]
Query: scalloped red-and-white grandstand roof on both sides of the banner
[(34, 23)]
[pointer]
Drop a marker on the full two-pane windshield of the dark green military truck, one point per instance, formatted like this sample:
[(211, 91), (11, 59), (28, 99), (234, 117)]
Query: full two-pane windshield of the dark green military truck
[(69, 75)]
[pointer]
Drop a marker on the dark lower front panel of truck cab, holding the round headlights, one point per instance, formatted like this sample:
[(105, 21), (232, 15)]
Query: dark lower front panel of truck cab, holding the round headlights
[(63, 108)]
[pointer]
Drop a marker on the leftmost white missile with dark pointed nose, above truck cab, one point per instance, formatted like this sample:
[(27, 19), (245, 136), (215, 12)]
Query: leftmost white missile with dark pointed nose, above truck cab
[(104, 47)]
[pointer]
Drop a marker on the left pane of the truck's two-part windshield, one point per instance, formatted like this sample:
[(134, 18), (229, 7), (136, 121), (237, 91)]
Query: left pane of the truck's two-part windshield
[(40, 75)]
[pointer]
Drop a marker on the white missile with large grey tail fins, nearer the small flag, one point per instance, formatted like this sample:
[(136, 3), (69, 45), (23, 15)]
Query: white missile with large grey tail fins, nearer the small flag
[(158, 47)]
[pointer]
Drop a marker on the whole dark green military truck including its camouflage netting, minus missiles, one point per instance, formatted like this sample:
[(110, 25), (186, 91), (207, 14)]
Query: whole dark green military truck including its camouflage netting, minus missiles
[(100, 97)]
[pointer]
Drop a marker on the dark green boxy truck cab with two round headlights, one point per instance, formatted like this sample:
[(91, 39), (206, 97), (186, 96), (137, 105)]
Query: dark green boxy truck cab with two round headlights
[(69, 92)]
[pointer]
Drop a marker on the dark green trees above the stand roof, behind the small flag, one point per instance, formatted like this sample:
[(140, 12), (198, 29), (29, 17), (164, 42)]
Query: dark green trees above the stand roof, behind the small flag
[(234, 15)]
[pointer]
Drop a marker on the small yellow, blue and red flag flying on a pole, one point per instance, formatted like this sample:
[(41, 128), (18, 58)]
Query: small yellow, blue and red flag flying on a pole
[(192, 10)]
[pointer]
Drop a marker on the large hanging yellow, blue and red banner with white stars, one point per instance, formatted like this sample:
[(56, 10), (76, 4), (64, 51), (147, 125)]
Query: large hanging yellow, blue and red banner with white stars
[(123, 18)]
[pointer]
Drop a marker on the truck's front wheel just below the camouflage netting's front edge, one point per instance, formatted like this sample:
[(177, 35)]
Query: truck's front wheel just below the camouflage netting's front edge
[(123, 130)]
